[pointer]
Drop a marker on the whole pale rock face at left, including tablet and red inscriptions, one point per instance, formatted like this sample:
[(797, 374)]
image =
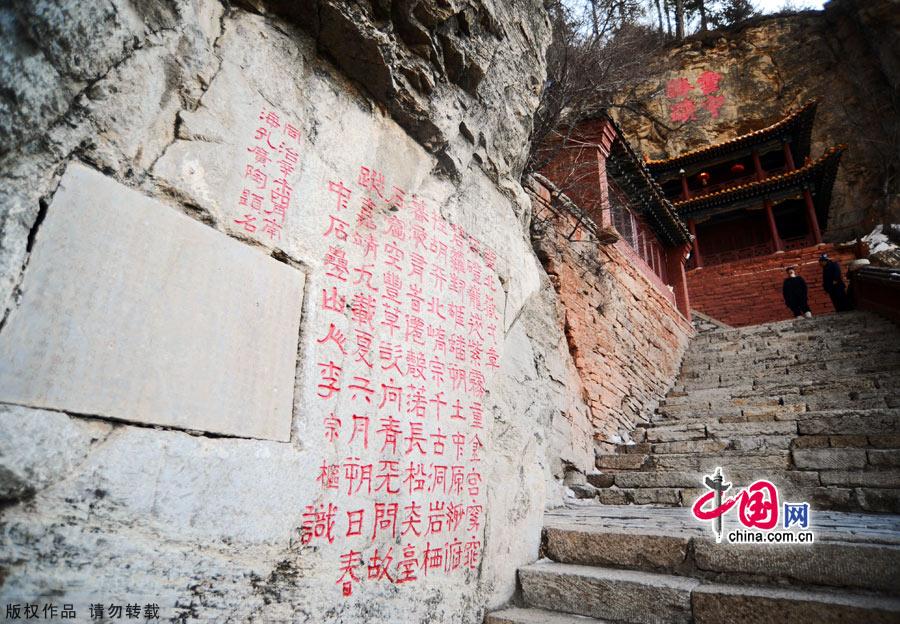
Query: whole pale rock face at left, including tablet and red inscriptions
[(272, 347)]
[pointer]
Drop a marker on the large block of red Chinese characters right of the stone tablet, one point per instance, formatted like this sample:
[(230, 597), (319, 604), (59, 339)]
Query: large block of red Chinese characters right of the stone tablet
[(406, 338)]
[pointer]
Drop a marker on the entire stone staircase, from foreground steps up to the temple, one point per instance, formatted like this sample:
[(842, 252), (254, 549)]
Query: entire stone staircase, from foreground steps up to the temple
[(810, 405)]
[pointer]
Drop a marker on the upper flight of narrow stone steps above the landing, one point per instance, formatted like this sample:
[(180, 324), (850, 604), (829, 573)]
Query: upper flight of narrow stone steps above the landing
[(812, 405)]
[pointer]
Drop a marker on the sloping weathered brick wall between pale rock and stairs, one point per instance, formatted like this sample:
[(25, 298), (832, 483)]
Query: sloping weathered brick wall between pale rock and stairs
[(625, 334)]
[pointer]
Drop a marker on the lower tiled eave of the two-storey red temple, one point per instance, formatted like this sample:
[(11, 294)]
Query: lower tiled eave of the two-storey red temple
[(817, 177)]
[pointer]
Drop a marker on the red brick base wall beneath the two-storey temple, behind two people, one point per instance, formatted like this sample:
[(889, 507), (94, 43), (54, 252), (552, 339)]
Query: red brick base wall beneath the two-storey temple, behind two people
[(748, 292)]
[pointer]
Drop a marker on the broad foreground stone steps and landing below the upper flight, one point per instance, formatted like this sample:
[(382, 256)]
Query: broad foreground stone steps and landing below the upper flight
[(654, 565)]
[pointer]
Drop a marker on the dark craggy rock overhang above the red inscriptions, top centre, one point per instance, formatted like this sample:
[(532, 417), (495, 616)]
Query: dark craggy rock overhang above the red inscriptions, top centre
[(460, 77)]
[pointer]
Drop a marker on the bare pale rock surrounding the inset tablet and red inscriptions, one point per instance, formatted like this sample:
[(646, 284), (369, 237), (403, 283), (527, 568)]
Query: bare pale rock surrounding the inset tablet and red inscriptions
[(162, 99)]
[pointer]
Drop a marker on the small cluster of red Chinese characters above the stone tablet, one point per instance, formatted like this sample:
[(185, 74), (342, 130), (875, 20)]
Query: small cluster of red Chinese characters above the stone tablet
[(272, 160)]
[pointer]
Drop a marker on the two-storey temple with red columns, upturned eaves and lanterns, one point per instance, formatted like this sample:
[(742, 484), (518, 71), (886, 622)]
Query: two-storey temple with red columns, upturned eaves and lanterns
[(753, 195)]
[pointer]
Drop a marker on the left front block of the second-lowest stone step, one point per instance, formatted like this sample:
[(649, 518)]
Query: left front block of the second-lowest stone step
[(618, 595)]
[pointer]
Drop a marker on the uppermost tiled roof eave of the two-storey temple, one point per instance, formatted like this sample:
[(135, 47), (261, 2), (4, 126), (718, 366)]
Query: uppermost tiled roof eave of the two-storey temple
[(796, 127)]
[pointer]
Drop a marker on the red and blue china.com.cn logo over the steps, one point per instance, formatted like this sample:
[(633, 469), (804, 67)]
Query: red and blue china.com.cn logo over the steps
[(758, 512)]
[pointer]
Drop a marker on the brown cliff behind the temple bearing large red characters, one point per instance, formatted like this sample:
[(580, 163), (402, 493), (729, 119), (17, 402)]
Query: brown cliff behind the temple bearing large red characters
[(725, 84)]
